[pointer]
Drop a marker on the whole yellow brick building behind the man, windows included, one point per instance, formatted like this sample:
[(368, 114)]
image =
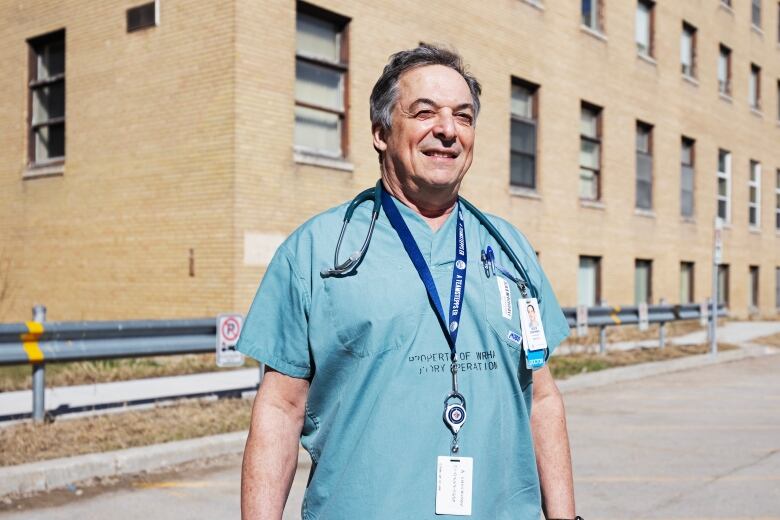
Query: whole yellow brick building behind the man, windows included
[(152, 159)]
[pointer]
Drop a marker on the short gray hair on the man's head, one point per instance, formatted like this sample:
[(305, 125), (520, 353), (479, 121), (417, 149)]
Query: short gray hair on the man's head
[(385, 91)]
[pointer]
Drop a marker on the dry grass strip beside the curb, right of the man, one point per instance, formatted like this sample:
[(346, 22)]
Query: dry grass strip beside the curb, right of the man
[(572, 364)]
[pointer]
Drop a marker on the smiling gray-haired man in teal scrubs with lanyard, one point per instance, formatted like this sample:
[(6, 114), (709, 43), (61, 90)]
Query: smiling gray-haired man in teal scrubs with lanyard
[(358, 365)]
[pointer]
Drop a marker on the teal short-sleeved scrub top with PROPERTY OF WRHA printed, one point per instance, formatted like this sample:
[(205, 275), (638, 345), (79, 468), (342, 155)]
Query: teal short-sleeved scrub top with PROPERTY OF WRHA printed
[(378, 365)]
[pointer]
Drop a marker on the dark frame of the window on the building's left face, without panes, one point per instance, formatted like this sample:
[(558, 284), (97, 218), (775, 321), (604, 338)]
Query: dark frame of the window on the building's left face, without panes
[(33, 83)]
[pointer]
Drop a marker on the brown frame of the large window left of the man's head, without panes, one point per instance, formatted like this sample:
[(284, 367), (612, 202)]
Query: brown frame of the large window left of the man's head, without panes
[(342, 67)]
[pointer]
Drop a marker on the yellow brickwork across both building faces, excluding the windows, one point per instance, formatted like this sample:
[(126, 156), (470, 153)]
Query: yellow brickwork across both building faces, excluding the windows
[(181, 137)]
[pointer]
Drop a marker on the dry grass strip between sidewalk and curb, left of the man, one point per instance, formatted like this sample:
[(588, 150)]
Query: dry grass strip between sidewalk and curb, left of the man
[(28, 442)]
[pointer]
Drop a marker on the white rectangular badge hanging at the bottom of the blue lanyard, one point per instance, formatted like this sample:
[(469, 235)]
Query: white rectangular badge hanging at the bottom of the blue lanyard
[(453, 485)]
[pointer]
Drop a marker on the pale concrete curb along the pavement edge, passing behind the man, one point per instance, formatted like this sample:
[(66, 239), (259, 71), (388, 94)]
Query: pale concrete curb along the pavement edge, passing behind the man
[(53, 474)]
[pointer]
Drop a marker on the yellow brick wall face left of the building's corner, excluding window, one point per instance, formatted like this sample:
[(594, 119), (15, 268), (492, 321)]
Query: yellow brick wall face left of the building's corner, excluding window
[(149, 164)]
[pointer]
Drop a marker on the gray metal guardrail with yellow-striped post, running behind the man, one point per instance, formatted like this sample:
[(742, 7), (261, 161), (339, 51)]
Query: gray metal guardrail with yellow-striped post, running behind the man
[(39, 342)]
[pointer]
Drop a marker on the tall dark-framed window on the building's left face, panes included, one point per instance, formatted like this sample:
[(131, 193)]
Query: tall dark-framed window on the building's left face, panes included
[(46, 108)]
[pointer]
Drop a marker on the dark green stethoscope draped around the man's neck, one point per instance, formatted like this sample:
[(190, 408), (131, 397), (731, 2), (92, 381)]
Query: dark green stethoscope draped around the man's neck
[(487, 255)]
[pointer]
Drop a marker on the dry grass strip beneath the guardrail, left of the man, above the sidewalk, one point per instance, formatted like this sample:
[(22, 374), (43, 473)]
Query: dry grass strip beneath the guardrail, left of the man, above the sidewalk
[(106, 371)]
